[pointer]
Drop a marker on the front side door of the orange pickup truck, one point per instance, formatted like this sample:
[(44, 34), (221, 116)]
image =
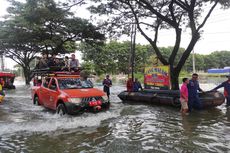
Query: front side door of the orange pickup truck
[(53, 94)]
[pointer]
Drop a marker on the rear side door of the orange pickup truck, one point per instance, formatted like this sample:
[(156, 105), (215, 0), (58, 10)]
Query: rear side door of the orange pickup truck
[(44, 91)]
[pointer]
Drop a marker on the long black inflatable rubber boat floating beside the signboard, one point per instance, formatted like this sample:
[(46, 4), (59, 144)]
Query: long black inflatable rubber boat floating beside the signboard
[(170, 97)]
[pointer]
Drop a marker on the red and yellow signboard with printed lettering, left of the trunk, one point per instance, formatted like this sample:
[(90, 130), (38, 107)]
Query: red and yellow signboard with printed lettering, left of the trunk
[(157, 77)]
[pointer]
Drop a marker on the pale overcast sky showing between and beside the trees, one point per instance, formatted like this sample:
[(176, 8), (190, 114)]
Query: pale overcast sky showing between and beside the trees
[(216, 35)]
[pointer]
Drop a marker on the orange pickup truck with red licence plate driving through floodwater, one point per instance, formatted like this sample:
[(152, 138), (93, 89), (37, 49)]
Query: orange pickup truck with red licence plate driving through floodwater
[(68, 94)]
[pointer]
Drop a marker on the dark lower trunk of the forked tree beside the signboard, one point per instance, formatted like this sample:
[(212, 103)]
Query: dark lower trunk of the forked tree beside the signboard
[(174, 79)]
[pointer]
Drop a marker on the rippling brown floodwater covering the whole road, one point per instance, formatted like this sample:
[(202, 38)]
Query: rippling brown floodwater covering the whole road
[(124, 128)]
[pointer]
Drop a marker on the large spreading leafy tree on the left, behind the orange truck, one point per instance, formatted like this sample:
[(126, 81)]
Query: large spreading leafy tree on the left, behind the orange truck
[(42, 26)]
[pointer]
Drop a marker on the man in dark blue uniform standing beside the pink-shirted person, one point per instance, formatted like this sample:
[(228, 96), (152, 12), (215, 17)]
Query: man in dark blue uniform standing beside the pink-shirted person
[(193, 96)]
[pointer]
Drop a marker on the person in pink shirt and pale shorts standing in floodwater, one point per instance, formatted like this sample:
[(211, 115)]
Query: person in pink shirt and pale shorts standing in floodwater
[(184, 95)]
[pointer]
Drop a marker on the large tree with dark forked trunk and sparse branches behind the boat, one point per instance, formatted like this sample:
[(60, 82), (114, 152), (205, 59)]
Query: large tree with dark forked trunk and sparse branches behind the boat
[(150, 16)]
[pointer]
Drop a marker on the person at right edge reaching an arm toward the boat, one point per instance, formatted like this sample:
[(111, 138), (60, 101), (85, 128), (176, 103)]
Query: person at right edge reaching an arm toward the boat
[(226, 85)]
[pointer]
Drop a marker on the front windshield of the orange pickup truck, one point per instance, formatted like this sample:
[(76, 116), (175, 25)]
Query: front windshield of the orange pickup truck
[(74, 83)]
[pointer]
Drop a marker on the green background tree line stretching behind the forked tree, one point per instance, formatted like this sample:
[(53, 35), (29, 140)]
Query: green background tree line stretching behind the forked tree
[(113, 58)]
